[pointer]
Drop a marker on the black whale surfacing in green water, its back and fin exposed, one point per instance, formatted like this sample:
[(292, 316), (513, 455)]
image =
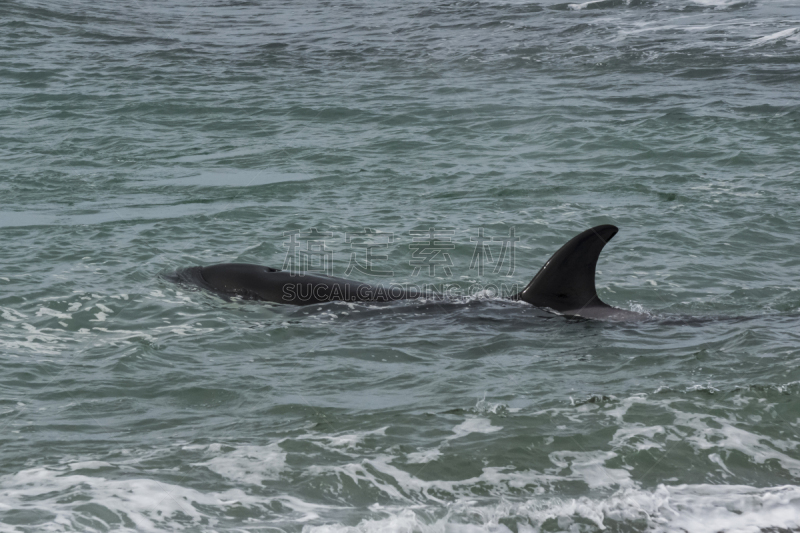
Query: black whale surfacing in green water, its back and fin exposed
[(565, 284)]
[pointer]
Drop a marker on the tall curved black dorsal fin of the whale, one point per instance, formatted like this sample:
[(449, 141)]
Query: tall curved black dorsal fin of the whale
[(566, 282)]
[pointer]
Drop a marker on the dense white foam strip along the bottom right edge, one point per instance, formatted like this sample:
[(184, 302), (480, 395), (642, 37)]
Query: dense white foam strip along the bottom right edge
[(666, 509)]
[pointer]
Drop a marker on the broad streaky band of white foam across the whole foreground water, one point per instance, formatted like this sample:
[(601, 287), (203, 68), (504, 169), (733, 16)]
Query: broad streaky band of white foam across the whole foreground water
[(490, 500)]
